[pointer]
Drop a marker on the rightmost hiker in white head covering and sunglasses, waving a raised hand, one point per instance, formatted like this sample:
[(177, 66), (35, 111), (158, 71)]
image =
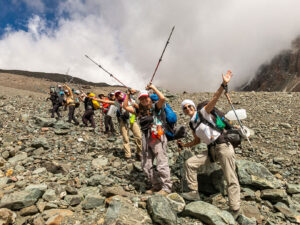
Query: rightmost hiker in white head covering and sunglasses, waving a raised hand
[(219, 148)]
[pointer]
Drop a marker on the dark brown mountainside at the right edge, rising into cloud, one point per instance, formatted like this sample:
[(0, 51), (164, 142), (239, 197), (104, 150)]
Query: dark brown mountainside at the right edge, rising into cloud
[(281, 74)]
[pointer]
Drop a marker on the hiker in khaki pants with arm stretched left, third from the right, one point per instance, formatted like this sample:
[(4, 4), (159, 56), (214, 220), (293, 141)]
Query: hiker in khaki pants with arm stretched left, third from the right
[(126, 122)]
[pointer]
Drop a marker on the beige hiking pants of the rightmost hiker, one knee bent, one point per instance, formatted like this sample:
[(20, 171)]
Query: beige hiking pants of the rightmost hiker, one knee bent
[(225, 156)]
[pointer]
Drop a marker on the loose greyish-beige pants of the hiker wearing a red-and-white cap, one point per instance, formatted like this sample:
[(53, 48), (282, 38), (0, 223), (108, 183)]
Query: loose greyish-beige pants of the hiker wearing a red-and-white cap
[(154, 148)]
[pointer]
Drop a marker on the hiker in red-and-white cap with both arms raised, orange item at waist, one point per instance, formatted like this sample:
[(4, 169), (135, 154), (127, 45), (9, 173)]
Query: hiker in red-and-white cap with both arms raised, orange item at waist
[(154, 140)]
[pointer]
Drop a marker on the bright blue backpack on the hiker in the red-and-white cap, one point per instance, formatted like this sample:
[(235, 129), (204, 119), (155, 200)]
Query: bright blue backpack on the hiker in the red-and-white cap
[(169, 120)]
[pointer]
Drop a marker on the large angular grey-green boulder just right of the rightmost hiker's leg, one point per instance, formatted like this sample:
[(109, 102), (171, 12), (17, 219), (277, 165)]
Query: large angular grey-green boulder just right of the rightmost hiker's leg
[(256, 175)]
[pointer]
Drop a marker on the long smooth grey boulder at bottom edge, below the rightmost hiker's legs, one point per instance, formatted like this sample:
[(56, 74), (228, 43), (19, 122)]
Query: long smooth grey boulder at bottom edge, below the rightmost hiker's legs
[(208, 213)]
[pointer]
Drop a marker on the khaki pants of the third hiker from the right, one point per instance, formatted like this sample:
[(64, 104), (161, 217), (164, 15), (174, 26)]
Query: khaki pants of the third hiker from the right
[(124, 129)]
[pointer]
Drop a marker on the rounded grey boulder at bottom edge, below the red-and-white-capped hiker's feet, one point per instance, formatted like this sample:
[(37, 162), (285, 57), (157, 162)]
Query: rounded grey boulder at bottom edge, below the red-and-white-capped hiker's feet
[(160, 210)]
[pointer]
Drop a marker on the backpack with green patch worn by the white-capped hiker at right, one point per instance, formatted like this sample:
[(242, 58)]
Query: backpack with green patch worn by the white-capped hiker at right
[(229, 133)]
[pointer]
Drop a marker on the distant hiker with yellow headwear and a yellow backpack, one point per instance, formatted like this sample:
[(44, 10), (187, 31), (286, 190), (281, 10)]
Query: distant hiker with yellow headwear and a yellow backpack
[(90, 105)]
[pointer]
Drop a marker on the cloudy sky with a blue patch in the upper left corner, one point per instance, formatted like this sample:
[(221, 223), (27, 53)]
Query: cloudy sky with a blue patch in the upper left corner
[(127, 37)]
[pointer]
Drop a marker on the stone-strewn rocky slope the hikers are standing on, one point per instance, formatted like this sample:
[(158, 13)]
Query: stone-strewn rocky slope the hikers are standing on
[(52, 172)]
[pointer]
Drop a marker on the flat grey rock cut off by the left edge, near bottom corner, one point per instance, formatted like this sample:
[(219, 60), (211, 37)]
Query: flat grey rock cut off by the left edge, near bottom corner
[(19, 200)]
